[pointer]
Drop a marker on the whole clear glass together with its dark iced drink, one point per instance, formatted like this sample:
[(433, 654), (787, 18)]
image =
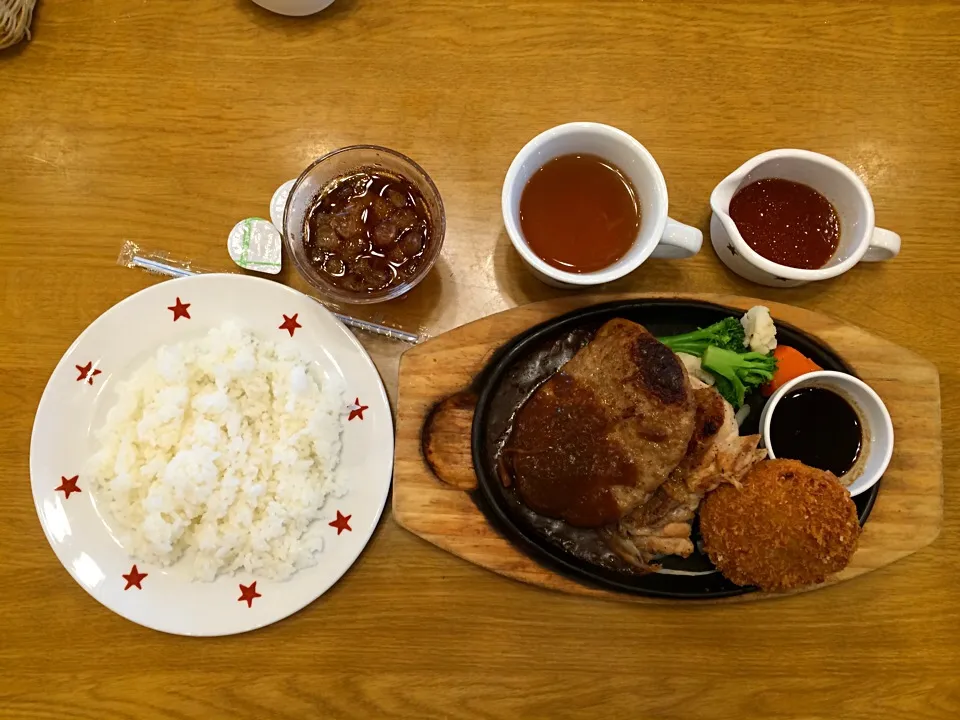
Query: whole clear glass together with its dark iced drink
[(363, 224)]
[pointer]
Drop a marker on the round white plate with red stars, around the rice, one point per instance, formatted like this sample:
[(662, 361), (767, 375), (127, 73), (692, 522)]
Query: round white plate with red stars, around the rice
[(75, 403)]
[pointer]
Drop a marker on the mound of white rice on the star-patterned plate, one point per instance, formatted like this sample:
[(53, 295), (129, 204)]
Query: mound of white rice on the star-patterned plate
[(219, 455)]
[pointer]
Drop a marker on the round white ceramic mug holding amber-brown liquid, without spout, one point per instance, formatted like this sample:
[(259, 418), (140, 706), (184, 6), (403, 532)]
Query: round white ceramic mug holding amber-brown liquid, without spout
[(659, 235)]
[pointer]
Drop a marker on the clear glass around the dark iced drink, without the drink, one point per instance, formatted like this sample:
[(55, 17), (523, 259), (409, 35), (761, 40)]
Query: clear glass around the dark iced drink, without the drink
[(345, 161)]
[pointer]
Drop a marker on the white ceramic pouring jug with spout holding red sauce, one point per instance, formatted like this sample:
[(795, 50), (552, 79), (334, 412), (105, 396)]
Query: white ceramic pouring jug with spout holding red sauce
[(860, 239)]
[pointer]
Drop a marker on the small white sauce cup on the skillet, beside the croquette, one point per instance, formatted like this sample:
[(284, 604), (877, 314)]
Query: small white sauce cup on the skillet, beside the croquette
[(877, 445)]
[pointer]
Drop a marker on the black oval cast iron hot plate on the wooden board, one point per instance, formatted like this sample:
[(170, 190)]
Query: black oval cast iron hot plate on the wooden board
[(529, 359)]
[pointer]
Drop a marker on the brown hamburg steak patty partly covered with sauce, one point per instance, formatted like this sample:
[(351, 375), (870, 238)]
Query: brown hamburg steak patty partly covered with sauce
[(601, 435)]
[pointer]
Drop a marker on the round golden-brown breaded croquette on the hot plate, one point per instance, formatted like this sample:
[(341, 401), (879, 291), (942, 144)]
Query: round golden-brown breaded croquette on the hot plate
[(788, 526)]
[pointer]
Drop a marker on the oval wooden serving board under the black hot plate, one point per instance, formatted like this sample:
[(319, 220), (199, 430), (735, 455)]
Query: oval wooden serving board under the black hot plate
[(906, 517)]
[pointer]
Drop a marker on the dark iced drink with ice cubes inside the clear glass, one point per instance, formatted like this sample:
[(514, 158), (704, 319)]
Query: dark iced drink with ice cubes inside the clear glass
[(367, 232)]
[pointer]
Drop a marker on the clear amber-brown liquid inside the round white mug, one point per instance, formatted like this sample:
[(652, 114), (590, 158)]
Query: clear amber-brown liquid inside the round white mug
[(579, 213)]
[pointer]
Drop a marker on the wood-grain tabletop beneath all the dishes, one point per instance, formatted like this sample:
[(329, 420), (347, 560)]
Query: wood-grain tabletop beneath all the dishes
[(167, 122)]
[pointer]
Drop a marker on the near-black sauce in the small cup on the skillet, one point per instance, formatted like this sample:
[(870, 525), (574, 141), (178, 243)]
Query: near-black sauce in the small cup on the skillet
[(817, 427)]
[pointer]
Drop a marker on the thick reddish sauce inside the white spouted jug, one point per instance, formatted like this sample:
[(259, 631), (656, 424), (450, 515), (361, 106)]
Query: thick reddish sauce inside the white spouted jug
[(787, 222)]
